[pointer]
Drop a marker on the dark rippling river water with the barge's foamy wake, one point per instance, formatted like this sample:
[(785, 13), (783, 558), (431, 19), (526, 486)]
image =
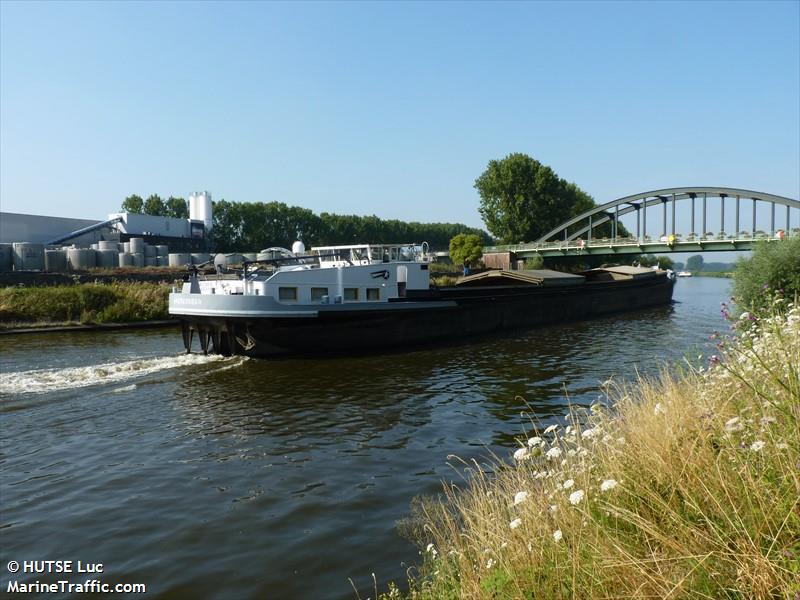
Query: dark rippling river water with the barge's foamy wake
[(211, 477)]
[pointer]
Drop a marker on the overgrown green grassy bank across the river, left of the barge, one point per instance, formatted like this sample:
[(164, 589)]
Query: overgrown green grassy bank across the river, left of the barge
[(84, 304)]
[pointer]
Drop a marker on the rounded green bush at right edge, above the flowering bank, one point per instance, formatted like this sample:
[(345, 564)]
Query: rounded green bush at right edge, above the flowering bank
[(773, 266)]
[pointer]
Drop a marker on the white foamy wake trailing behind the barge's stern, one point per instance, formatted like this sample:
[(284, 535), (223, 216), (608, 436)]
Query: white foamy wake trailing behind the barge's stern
[(49, 380)]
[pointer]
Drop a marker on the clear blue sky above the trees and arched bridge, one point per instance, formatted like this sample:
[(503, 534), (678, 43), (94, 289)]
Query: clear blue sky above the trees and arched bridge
[(390, 109)]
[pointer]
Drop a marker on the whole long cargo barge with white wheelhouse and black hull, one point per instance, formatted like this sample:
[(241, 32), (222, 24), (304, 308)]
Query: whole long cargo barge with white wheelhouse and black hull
[(372, 297)]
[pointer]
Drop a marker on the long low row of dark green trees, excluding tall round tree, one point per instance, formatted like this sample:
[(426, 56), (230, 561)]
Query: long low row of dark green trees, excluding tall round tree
[(251, 226)]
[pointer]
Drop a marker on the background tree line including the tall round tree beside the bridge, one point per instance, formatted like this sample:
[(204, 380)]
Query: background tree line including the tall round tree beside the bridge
[(520, 199)]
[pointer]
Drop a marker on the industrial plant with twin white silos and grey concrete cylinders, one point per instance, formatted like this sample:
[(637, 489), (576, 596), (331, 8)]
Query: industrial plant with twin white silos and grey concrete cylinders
[(133, 239)]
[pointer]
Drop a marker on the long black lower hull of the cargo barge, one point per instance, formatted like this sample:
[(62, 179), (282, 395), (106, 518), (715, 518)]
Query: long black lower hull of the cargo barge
[(463, 313)]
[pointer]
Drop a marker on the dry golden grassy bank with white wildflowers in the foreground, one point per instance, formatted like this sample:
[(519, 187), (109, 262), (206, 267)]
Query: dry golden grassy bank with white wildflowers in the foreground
[(689, 488)]
